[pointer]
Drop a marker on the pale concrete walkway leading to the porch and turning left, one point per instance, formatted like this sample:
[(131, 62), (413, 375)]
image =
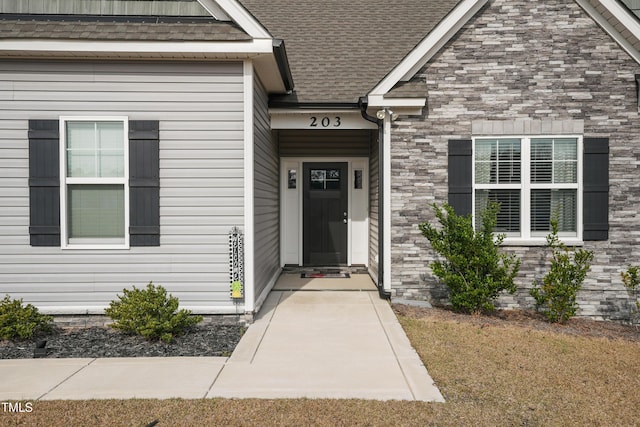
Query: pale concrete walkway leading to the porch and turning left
[(314, 344)]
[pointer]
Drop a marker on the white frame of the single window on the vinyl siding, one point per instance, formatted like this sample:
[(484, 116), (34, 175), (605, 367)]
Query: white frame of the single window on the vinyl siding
[(88, 243)]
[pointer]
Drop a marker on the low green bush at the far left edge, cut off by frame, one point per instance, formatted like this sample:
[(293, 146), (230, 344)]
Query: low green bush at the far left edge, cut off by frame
[(21, 321)]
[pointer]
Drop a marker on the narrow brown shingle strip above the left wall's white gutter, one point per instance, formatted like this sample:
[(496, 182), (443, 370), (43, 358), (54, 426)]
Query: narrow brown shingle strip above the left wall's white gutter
[(118, 28)]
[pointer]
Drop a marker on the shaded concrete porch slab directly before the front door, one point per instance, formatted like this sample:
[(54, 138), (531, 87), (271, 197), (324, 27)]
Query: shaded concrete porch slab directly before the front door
[(293, 282)]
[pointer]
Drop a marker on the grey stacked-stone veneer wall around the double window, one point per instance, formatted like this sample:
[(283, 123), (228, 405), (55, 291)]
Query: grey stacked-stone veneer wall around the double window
[(526, 64)]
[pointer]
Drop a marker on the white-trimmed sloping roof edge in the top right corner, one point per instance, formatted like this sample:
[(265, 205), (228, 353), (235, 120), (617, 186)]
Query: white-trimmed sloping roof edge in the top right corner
[(622, 16)]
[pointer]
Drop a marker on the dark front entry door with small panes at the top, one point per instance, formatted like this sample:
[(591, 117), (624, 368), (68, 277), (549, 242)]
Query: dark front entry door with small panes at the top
[(325, 213)]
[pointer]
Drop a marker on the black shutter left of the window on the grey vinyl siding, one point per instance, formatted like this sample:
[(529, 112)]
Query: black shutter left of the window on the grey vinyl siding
[(44, 182)]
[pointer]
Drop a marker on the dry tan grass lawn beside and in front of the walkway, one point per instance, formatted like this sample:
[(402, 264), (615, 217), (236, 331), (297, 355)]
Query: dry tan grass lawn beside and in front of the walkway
[(490, 375)]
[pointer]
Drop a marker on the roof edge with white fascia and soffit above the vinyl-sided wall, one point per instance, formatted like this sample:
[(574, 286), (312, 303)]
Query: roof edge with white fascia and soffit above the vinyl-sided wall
[(143, 29)]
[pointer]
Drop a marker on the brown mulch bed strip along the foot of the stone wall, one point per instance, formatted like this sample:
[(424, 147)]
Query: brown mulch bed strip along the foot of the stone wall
[(528, 319)]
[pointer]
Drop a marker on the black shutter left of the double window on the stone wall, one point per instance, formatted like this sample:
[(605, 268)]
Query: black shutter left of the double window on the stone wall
[(460, 185)]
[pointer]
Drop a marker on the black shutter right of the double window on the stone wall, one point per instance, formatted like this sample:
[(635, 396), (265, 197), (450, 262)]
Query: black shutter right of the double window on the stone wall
[(596, 189)]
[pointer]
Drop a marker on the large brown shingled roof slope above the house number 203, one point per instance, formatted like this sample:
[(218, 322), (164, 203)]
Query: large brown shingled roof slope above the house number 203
[(339, 50)]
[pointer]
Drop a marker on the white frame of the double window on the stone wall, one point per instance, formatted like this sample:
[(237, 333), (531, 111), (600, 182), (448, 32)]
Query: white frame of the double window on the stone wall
[(526, 237)]
